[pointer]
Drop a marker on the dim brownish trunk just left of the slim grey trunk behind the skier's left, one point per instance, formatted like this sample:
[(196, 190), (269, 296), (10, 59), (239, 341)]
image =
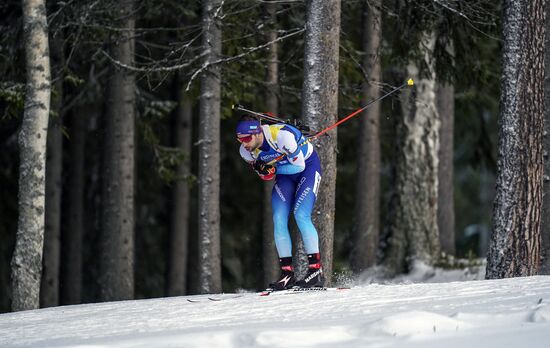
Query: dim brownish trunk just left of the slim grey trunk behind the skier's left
[(177, 279)]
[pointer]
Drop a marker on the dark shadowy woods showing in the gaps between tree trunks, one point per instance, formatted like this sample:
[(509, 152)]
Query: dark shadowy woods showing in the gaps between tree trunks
[(167, 49)]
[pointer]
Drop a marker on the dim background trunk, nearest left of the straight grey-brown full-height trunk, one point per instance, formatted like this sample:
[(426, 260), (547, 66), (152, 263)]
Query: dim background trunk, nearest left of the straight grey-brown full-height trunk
[(71, 268)]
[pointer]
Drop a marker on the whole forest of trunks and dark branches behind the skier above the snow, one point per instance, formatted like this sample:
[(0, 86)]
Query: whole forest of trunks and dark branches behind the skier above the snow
[(120, 169)]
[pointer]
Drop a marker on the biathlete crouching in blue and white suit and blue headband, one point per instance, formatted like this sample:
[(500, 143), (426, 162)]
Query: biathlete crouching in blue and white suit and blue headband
[(297, 177)]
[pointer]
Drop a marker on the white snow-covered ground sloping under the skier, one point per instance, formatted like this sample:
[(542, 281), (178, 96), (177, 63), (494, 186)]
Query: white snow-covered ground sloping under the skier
[(481, 313)]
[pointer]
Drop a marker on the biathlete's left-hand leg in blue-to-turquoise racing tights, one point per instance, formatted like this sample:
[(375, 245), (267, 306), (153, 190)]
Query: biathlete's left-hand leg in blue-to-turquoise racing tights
[(282, 198)]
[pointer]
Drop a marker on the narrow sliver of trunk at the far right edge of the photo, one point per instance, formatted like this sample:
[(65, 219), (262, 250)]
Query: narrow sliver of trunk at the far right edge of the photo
[(545, 230)]
